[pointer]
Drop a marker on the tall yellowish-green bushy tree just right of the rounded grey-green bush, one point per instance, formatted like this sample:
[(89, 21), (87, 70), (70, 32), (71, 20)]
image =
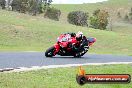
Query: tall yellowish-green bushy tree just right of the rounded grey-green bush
[(99, 20)]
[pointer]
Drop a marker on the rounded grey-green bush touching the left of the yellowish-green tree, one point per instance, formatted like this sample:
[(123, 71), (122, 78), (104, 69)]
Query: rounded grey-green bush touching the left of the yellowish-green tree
[(78, 18)]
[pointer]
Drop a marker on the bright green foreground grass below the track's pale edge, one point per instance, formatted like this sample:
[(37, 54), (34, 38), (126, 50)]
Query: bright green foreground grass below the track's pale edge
[(62, 78)]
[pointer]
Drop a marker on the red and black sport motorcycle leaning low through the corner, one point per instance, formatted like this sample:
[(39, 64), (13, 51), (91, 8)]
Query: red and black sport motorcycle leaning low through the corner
[(64, 43)]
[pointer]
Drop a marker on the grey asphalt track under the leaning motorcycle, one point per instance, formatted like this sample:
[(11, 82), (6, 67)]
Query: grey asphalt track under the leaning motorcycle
[(29, 59)]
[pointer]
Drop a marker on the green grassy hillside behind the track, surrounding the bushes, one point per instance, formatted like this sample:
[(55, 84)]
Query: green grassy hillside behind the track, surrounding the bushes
[(20, 32)]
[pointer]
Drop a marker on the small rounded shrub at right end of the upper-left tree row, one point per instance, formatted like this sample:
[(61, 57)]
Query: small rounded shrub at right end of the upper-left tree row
[(52, 13)]
